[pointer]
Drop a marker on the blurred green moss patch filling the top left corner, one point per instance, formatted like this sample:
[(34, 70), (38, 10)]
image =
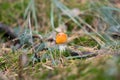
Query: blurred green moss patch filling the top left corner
[(8, 11)]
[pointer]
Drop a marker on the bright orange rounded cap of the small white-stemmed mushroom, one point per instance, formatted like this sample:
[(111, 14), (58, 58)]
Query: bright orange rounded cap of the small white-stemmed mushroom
[(61, 38)]
